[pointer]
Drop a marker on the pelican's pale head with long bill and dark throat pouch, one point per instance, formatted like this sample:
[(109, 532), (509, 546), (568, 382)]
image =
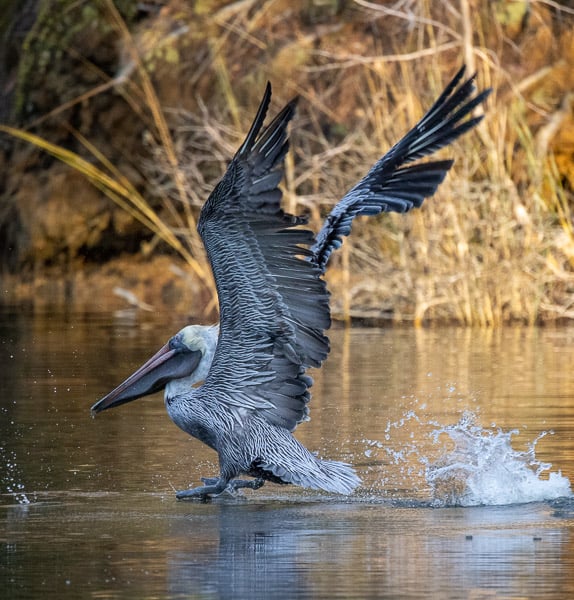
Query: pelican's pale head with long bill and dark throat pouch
[(180, 364)]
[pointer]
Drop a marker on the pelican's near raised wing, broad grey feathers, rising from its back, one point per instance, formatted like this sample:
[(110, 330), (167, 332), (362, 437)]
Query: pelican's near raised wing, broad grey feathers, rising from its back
[(274, 307)]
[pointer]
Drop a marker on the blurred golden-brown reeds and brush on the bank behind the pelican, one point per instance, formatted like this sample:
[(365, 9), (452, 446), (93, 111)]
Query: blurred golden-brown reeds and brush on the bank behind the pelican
[(495, 245)]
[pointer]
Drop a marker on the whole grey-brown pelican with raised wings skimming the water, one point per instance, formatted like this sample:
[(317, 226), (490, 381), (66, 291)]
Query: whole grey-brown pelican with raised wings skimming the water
[(274, 305)]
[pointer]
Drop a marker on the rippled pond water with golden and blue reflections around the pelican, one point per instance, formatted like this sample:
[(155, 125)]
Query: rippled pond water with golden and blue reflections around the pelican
[(464, 440)]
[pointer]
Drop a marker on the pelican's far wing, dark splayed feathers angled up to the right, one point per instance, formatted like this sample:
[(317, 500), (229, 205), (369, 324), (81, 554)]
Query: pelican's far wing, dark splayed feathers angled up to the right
[(395, 185)]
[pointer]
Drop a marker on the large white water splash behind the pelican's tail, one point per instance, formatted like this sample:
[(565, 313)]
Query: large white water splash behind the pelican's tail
[(469, 465)]
